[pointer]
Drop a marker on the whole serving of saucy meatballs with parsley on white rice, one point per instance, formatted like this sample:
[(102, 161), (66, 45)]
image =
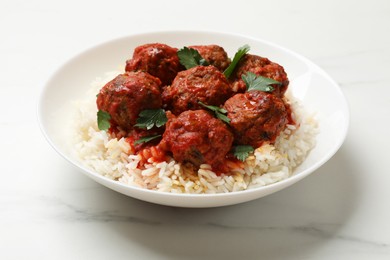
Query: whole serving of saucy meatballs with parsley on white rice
[(192, 120)]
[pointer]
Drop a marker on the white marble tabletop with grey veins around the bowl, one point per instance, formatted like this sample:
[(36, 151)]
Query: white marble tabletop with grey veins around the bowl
[(48, 210)]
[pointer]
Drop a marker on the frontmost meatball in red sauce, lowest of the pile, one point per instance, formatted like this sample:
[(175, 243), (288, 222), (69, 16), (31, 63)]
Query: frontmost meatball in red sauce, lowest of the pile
[(197, 137)]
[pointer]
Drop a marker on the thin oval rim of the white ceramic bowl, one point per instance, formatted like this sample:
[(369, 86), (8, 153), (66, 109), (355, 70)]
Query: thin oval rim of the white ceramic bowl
[(274, 186)]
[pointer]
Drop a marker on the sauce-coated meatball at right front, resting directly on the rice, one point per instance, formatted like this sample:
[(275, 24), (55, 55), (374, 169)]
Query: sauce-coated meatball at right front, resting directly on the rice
[(256, 117)]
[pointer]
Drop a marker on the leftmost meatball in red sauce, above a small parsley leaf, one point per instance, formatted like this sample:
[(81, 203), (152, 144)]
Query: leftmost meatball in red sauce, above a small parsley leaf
[(127, 95)]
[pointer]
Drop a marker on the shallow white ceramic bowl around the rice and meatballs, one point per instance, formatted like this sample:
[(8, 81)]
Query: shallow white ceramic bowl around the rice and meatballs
[(318, 92)]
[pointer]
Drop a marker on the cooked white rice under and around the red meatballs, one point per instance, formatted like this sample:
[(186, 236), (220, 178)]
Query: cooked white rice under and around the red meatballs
[(114, 158)]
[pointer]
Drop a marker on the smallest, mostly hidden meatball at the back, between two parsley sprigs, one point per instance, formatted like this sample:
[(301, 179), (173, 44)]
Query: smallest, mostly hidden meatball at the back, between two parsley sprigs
[(215, 55)]
